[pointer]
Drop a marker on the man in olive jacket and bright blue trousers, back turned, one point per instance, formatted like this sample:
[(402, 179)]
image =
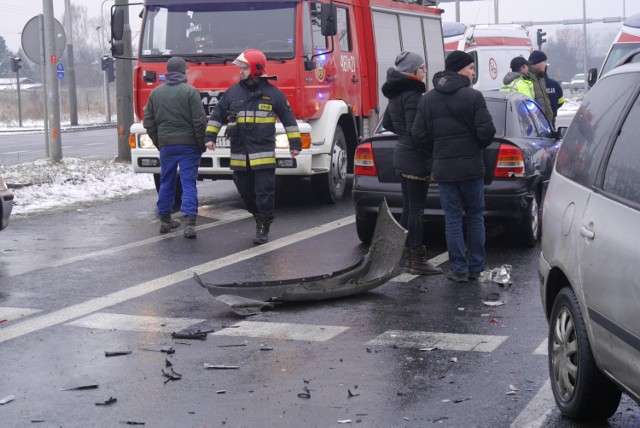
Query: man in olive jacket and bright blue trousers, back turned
[(175, 120)]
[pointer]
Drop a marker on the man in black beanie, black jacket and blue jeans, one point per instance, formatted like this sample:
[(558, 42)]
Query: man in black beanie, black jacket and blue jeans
[(455, 124)]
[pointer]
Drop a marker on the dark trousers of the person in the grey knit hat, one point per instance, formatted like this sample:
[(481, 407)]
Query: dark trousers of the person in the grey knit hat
[(414, 199)]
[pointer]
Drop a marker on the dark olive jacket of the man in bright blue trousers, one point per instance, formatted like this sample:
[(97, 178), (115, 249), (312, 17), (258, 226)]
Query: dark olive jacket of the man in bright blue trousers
[(174, 114)]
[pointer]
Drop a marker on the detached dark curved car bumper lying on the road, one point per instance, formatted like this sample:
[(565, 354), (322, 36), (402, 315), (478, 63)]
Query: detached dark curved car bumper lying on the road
[(373, 270)]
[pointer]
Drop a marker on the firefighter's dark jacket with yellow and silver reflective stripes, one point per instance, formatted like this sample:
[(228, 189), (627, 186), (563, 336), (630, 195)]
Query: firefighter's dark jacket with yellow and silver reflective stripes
[(250, 111)]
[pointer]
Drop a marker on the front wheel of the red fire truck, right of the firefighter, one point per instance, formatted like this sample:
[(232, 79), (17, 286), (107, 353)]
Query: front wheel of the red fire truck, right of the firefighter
[(329, 188)]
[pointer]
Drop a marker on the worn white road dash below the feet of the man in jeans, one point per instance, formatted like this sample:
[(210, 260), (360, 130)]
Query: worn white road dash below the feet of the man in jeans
[(447, 341)]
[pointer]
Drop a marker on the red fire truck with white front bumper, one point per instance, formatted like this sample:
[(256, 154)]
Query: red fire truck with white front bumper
[(330, 58)]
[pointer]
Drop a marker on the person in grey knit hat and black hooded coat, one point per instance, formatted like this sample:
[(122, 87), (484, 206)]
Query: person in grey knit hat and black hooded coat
[(404, 87)]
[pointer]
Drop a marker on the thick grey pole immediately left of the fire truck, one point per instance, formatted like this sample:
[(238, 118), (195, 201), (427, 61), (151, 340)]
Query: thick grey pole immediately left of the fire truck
[(124, 89)]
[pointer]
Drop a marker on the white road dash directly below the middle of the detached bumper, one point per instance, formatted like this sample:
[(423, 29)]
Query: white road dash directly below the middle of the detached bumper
[(283, 331)]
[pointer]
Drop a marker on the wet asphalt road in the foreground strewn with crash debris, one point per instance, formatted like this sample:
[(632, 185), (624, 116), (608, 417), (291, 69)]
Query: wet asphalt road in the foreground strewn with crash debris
[(414, 352)]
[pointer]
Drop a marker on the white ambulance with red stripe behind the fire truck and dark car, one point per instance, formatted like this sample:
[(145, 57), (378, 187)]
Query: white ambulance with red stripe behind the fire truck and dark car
[(492, 47)]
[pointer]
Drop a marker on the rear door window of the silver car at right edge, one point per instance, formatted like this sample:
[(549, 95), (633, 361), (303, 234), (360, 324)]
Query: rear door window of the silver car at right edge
[(622, 174)]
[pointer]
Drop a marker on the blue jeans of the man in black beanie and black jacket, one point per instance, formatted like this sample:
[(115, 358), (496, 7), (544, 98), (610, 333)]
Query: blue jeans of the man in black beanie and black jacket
[(458, 199)]
